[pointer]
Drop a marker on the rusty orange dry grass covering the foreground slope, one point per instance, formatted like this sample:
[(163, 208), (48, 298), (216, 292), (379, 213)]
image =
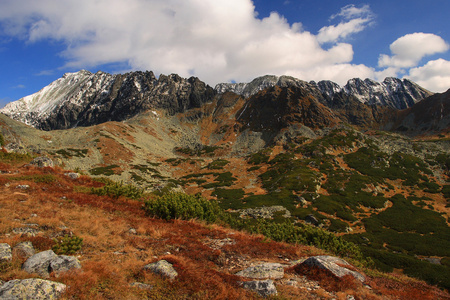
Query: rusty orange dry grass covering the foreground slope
[(113, 255)]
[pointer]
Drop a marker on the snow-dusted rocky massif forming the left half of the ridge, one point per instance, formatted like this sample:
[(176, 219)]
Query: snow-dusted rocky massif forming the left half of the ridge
[(83, 98)]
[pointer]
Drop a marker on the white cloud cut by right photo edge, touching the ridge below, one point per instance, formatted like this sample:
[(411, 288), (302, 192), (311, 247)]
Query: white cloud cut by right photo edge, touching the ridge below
[(434, 76)]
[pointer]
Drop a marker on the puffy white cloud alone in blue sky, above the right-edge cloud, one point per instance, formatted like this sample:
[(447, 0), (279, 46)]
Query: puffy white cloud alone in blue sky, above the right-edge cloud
[(408, 50)]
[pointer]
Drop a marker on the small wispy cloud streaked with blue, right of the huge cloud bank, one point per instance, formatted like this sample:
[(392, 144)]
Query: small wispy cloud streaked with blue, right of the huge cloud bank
[(354, 20)]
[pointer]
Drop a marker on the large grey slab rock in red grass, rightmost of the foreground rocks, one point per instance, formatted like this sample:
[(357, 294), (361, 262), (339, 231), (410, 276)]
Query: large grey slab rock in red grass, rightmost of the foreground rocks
[(333, 264)]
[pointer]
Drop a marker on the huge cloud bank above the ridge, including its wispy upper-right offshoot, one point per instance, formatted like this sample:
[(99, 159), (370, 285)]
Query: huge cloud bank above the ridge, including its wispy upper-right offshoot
[(215, 40)]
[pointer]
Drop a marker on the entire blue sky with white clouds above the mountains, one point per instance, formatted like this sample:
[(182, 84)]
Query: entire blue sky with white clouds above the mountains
[(224, 40)]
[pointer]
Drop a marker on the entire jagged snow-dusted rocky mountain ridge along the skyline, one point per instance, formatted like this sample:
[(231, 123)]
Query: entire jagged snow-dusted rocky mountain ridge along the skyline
[(84, 98)]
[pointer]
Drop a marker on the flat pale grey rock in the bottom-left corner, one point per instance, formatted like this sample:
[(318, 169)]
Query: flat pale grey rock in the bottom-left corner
[(33, 288)]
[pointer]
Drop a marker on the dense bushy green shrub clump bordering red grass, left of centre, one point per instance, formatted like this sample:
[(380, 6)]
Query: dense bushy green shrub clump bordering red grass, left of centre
[(183, 206)]
